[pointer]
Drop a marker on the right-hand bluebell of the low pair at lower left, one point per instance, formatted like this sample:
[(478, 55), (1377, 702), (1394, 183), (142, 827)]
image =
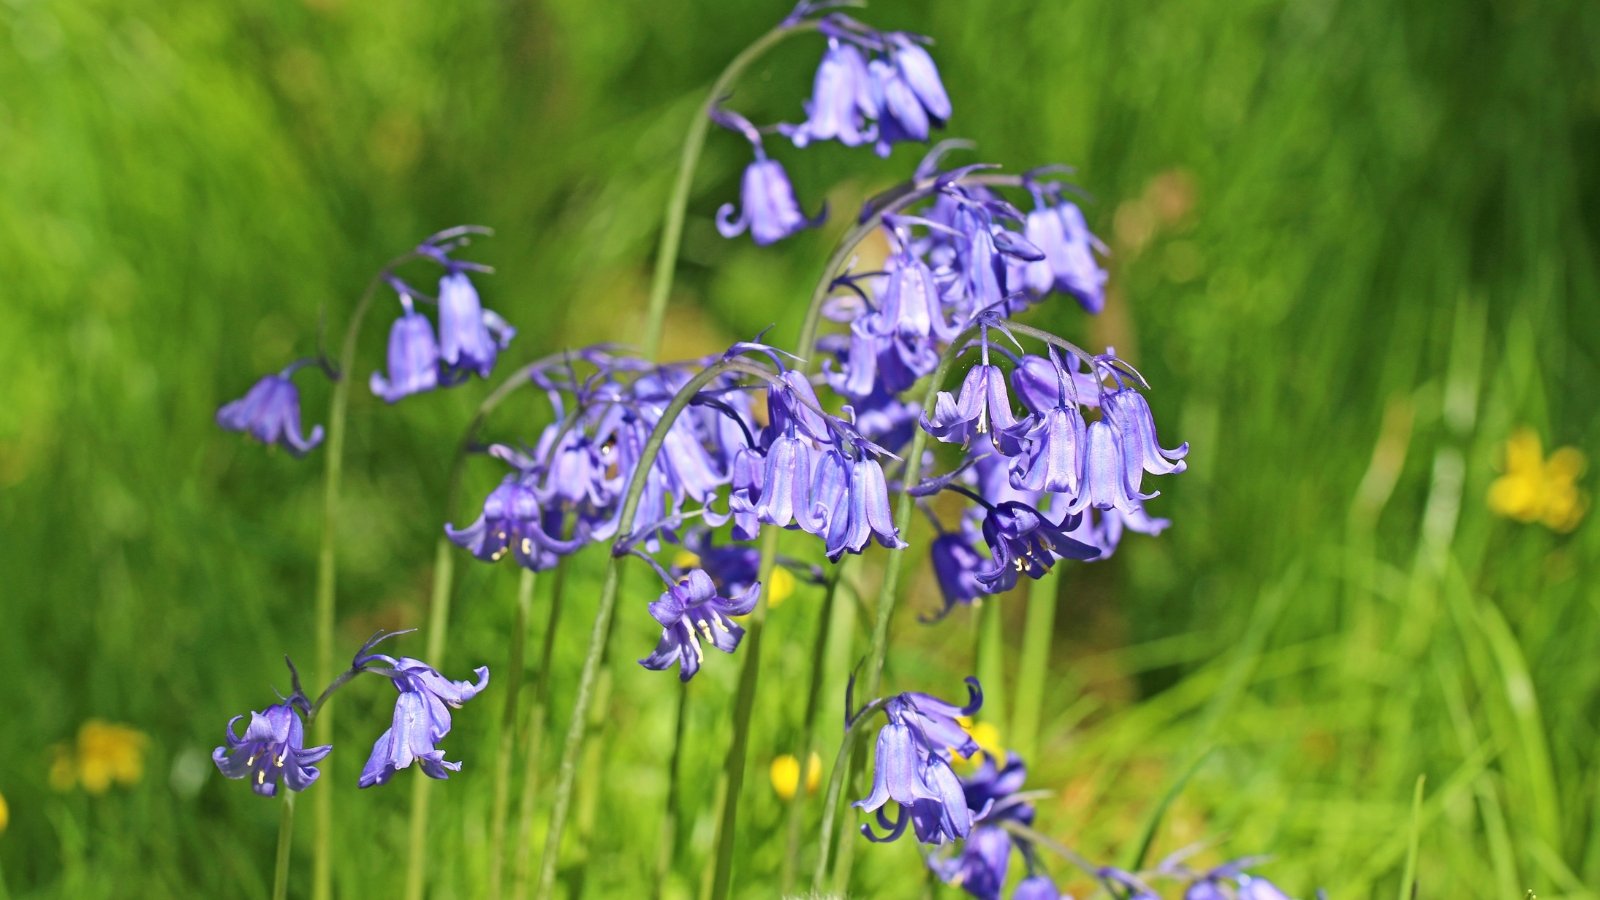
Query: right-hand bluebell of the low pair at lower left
[(422, 718)]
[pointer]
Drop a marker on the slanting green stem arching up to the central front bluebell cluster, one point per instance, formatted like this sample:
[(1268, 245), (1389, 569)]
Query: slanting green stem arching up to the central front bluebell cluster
[(602, 630)]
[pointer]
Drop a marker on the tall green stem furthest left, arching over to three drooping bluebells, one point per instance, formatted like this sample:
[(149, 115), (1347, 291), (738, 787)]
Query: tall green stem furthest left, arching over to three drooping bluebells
[(327, 573)]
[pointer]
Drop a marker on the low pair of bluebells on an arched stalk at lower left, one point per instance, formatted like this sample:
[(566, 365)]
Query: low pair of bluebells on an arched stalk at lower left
[(273, 749)]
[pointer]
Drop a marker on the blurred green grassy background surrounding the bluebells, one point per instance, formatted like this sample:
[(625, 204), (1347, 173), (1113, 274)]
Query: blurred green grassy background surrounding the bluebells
[(1354, 247)]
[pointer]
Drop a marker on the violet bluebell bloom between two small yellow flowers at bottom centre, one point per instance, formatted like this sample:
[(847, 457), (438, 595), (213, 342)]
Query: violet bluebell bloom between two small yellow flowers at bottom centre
[(913, 768)]
